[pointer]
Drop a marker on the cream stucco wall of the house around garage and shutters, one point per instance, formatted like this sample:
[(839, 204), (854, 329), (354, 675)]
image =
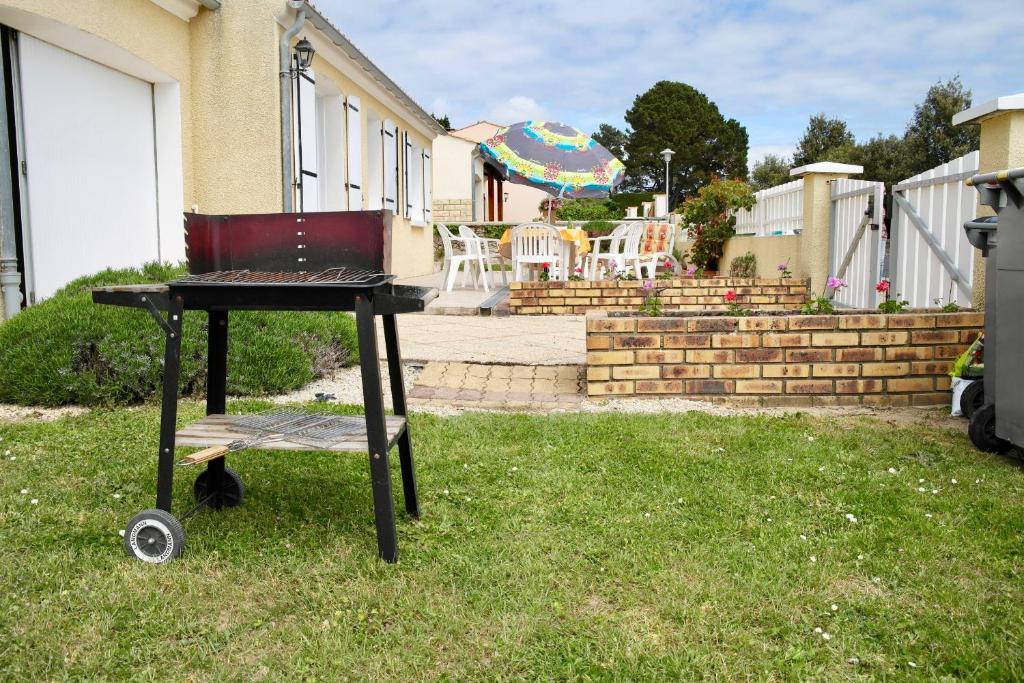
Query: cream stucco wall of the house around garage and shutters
[(227, 65)]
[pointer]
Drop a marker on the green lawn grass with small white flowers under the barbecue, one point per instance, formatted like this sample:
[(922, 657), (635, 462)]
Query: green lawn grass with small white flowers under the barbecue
[(594, 547)]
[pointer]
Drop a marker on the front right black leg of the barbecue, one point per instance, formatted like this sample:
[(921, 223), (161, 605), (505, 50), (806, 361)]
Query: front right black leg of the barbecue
[(373, 402)]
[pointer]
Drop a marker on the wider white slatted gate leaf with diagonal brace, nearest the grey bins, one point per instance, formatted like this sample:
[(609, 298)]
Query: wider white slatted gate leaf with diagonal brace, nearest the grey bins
[(930, 258)]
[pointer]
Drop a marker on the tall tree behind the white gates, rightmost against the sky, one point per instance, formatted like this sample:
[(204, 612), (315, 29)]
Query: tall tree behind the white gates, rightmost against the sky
[(931, 136)]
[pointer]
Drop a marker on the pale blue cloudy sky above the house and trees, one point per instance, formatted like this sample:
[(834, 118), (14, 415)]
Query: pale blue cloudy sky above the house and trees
[(770, 65)]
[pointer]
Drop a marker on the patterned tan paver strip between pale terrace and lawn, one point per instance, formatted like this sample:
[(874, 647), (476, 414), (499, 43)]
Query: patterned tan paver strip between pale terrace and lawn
[(491, 387)]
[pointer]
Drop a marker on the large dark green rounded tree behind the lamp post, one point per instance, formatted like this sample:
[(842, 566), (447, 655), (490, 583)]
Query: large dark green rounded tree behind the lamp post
[(677, 116)]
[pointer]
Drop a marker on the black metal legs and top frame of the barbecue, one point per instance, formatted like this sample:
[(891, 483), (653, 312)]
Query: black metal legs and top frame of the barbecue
[(218, 300)]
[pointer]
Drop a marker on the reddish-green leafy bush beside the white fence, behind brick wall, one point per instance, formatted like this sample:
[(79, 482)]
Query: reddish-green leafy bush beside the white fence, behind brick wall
[(708, 215)]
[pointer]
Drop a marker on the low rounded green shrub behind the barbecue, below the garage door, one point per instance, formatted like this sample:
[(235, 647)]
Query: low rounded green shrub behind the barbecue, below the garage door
[(70, 351)]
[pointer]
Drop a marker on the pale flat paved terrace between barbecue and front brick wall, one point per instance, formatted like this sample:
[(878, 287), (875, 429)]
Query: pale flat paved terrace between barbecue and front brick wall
[(533, 340)]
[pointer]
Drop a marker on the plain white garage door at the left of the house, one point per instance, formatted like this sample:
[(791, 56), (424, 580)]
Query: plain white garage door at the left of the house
[(91, 156)]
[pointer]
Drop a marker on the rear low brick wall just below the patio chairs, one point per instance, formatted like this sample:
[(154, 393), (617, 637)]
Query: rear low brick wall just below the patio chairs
[(685, 294)]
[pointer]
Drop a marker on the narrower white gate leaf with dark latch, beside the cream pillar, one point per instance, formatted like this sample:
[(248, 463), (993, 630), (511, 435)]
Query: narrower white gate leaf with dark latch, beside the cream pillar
[(857, 250)]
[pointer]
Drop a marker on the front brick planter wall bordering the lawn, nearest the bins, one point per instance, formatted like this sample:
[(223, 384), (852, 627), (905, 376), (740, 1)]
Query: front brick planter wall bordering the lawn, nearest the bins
[(849, 359)]
